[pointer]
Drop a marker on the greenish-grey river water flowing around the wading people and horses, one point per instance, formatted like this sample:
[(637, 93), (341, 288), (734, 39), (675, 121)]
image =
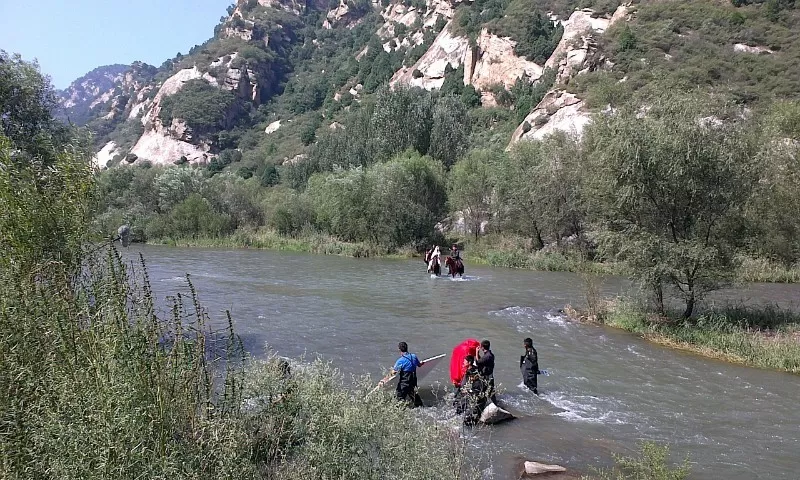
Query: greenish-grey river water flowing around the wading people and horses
[(607, 388)]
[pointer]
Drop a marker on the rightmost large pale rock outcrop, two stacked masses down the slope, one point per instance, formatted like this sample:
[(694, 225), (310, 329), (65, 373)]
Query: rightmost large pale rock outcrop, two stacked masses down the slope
[(575, 54)]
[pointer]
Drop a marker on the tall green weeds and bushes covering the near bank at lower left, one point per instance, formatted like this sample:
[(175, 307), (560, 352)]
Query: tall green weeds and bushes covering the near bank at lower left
[(96, 384)]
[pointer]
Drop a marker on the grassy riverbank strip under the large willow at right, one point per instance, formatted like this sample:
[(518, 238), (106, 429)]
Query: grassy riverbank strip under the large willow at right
[(762, 337)]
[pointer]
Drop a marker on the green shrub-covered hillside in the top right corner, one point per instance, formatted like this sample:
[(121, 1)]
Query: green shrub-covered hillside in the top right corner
[(697, 38)]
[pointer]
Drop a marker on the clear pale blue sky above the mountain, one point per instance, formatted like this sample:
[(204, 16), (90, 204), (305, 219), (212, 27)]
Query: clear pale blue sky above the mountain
[(71, 37)]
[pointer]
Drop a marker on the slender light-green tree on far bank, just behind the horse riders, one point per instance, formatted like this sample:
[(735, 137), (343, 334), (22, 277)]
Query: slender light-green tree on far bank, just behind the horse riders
[(470, 188)]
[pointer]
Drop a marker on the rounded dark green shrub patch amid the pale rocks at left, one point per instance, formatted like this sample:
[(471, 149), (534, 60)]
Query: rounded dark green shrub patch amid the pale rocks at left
[(203, 107)]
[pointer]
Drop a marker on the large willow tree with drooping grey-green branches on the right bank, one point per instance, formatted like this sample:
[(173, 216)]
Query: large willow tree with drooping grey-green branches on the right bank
[(669, 181)]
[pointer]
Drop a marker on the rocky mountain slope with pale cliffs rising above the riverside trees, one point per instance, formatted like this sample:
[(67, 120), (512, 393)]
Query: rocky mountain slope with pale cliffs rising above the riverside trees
[(268, 54)]
